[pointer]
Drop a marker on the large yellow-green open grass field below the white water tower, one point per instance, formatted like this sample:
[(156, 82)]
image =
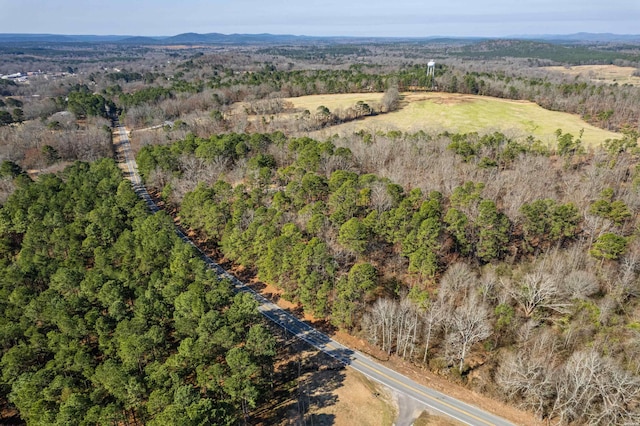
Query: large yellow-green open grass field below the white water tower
[(458, 113)]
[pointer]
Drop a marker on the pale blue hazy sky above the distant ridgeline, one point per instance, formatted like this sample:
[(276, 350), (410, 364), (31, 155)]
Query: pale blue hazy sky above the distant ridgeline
[(391, 18)]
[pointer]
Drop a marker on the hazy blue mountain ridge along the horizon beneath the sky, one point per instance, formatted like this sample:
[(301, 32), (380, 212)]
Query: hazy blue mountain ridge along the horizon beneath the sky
[(218, 38)]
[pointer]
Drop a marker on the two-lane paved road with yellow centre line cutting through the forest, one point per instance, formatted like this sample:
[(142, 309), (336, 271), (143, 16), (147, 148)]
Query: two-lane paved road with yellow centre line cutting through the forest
[(435, 400)]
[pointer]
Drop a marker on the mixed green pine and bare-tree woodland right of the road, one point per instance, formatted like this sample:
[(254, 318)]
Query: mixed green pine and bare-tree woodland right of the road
[(499, 262)]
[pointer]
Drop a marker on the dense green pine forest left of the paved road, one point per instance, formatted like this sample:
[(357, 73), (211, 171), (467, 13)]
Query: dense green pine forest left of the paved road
[(107, 317)]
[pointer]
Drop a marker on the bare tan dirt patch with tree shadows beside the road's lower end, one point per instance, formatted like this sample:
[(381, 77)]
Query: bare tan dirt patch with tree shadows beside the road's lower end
[(312, 388)]
